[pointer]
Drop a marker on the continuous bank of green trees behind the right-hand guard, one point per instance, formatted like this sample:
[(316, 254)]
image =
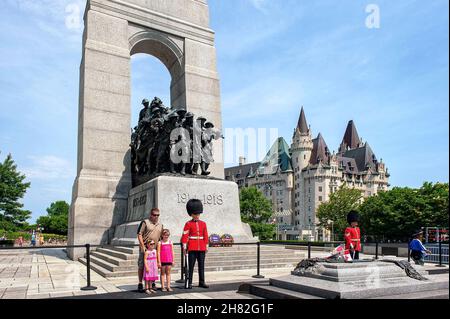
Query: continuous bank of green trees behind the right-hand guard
[(394, 214)]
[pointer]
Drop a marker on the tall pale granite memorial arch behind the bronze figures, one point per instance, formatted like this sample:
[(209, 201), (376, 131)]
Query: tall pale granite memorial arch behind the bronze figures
[(177, 33)]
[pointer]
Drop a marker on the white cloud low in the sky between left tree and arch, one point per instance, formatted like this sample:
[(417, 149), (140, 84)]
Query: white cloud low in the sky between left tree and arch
[(49, 167)]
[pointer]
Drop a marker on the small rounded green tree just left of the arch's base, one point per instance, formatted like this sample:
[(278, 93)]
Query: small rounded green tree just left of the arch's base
[(57, 218)]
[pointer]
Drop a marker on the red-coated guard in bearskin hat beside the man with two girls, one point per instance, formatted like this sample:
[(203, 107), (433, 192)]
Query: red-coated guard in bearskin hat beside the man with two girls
[(195, 241)]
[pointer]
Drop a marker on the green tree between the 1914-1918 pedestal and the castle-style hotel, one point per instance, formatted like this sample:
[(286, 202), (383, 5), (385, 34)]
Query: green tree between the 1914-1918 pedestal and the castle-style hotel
[(256, 210)]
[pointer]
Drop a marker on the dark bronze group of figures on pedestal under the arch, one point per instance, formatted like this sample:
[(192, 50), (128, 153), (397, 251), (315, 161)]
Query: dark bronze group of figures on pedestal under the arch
[(168, 140)]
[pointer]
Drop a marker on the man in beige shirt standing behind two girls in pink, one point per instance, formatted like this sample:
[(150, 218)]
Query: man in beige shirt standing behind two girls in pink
[(148, 230)]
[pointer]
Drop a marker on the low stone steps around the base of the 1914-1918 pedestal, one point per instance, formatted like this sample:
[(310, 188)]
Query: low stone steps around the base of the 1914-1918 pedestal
[(122, 261)]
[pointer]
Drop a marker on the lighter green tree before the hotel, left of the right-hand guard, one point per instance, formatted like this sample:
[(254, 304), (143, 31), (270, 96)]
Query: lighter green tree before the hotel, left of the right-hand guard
[(332, 214)]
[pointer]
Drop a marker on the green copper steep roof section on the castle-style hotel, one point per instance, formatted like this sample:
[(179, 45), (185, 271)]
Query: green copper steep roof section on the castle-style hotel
[(277, 157)]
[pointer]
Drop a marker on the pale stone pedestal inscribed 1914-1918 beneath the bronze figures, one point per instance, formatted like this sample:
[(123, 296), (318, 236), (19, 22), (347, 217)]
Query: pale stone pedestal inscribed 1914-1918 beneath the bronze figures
[(171, 193)]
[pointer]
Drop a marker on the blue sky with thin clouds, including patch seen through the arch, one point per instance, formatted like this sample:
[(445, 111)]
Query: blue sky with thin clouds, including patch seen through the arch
[(273, 57)]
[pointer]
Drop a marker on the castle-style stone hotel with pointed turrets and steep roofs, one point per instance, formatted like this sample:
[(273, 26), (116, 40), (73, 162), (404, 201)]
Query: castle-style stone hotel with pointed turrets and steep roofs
[(299, 178)]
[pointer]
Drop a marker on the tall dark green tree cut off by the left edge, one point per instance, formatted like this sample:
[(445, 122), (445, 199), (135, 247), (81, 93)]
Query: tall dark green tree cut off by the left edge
[(12, 189)]
